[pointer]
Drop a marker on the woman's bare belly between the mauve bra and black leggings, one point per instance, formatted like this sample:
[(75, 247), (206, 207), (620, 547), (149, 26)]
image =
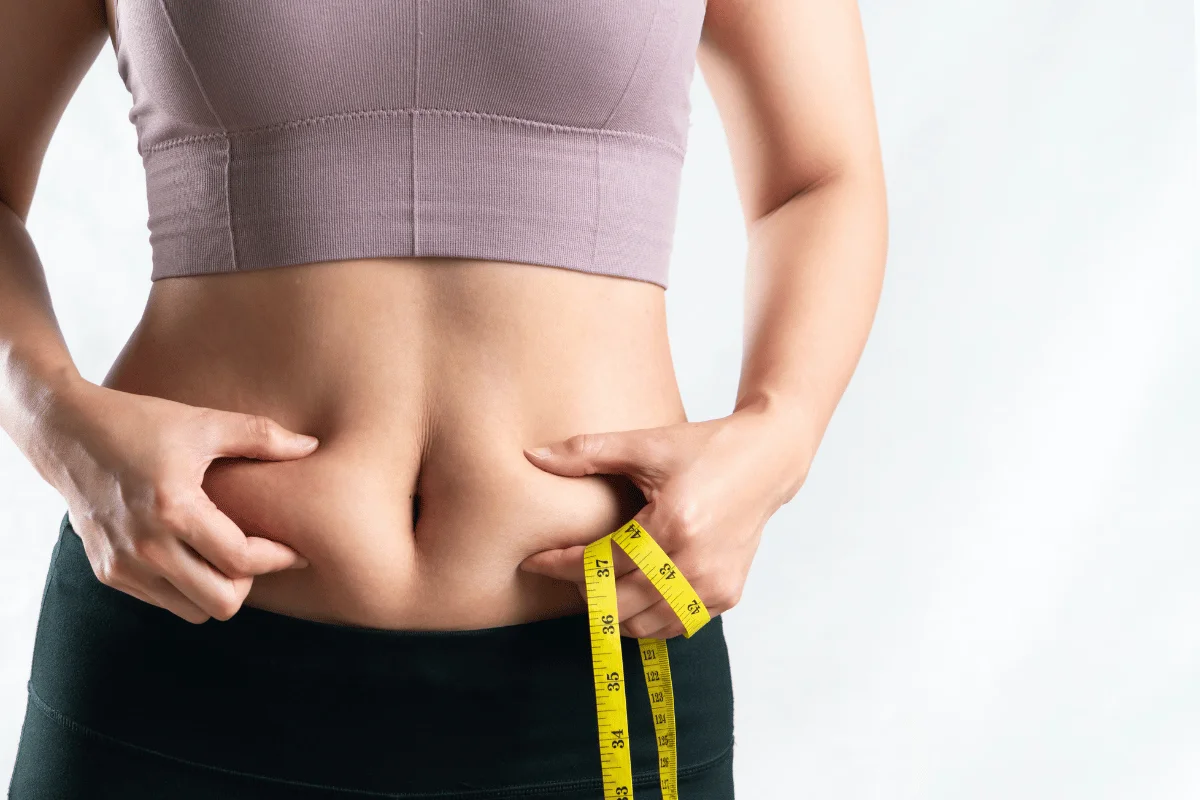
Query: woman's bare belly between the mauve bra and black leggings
[(424, 380)]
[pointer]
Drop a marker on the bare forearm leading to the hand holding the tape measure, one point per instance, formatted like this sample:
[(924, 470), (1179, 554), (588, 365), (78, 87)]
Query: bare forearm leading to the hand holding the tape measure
[(814, 275)]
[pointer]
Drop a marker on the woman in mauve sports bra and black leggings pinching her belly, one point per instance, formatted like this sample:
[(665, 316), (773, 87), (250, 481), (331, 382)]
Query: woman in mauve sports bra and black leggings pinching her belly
[(405, 357)]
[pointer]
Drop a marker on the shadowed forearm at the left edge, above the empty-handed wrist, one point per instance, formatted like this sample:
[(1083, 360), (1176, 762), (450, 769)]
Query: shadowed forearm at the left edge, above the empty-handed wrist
[(37, 369)]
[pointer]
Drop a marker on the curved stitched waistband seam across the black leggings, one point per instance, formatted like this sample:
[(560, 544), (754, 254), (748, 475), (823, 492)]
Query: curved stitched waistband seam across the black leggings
[(497, 793)]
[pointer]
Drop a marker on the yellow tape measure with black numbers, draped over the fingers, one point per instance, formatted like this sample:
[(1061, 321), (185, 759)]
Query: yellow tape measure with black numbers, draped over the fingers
[(607, 663)]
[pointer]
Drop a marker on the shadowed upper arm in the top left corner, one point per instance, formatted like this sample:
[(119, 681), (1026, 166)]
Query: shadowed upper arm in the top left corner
[(46, 50)]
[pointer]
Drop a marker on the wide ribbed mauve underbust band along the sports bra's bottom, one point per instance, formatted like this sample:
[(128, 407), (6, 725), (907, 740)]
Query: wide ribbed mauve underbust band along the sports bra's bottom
[(349, 187)]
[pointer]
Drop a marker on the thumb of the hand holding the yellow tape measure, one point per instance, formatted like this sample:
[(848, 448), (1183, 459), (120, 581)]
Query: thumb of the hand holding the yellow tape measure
[(637, 454)]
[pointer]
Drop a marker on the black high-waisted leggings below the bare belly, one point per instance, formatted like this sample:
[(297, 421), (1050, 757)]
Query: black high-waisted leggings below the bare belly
[(129, 701)]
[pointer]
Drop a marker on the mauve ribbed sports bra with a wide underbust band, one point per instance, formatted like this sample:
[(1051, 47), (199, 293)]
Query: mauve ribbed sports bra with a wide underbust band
[(278, 133)]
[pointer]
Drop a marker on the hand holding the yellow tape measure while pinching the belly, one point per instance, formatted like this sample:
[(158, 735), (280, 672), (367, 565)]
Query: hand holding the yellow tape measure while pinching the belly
[(710, 486)]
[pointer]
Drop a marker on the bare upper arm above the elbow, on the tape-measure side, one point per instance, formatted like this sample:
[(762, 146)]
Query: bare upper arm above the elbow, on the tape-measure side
[(791, 85)]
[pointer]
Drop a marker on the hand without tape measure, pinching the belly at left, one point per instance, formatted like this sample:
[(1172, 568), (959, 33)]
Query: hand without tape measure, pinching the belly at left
[(130, 468)]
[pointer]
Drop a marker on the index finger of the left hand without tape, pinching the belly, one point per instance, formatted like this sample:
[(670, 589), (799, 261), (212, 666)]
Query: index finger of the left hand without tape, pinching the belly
[(219, 540)]
